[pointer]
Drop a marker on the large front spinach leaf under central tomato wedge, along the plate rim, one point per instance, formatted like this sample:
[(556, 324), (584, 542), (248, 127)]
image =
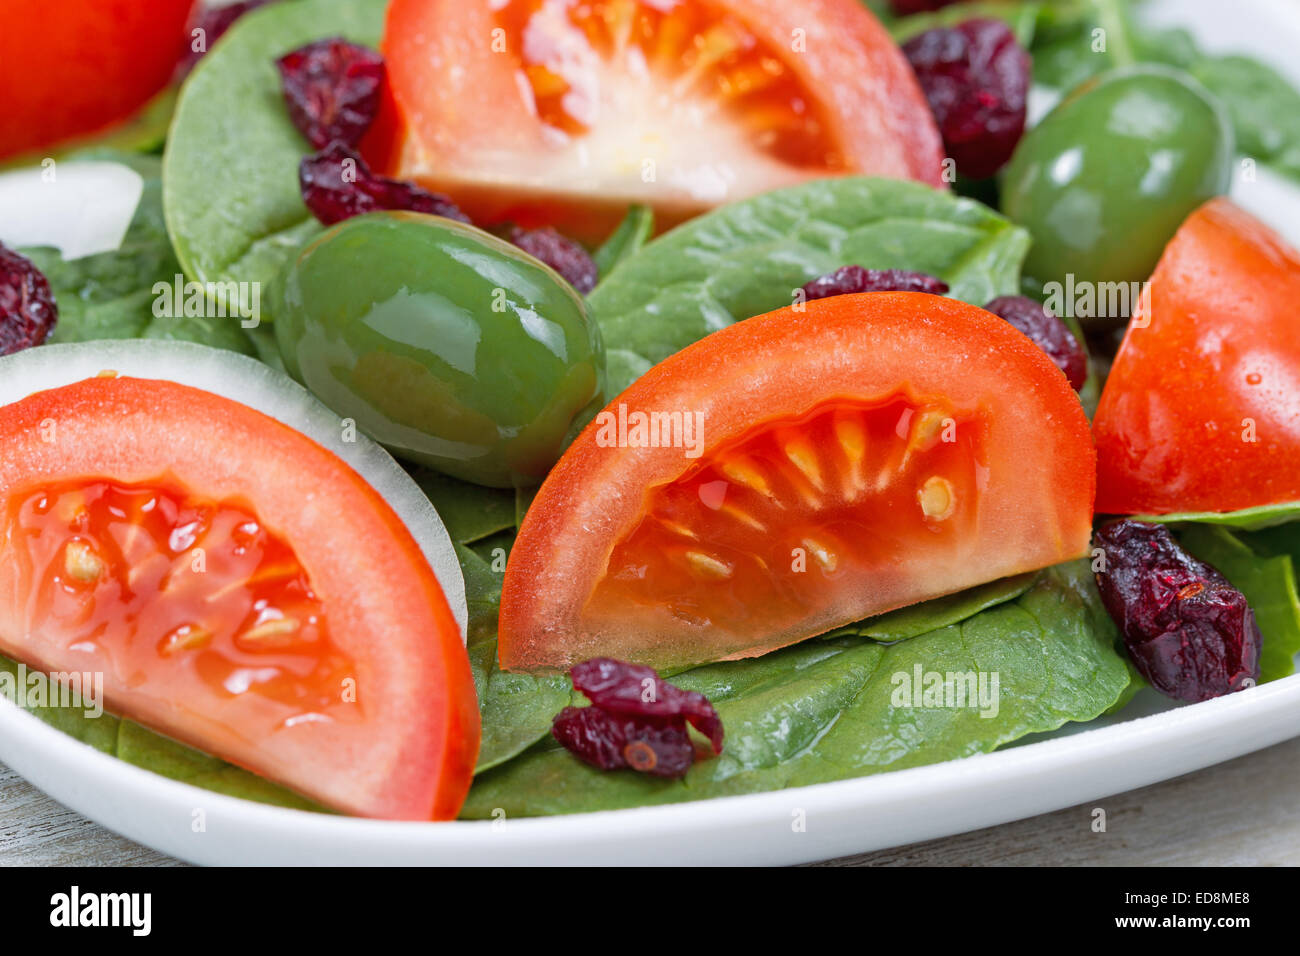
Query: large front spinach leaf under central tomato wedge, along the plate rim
[(830, 711)]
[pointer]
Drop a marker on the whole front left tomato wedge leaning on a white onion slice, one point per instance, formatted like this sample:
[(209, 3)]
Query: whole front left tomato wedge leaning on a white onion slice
[(170, 540)]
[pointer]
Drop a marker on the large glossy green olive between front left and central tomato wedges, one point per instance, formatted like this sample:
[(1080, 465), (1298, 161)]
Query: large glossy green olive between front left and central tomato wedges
[(445, 344)]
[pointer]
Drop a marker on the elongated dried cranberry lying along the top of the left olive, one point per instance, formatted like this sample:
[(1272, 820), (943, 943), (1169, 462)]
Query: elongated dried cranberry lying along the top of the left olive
[(337, 184)]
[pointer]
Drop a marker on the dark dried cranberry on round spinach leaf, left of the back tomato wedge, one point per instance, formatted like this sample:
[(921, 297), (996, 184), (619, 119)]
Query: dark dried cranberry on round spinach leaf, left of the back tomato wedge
[(332, 89)]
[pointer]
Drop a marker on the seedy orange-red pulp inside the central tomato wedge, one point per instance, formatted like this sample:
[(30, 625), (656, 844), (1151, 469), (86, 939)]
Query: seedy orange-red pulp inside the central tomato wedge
[(779, 516)]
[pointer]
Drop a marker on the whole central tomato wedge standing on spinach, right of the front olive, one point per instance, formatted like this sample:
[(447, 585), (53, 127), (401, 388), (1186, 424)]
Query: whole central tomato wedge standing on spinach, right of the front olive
[(860, 455)]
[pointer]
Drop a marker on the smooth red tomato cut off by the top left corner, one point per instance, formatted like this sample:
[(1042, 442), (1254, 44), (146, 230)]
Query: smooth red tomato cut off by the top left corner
[(71, 67)]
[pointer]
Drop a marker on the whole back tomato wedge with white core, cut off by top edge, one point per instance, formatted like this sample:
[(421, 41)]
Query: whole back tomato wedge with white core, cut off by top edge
[(567, 111)]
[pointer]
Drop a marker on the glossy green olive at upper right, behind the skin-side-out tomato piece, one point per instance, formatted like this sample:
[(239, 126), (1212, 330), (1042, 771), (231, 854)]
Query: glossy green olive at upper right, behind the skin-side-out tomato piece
[(1107, 179)]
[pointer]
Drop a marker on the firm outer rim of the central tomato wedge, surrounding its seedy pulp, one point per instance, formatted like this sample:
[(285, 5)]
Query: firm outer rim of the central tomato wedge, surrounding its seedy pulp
[(1034, 509)]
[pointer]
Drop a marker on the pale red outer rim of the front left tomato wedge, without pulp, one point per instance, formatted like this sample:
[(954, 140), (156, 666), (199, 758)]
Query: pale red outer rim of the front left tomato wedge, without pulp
[(413, 756)]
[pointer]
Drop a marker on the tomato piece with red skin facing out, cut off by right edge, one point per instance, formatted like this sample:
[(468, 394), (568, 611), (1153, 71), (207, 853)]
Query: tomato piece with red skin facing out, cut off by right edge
[(1202, 409)]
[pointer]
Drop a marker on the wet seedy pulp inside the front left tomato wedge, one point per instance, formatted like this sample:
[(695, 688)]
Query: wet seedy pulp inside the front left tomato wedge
[(149, 573)]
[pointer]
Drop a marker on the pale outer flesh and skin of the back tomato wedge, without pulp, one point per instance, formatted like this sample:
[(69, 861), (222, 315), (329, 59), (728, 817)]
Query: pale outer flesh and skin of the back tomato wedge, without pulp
[(461, 111)]
